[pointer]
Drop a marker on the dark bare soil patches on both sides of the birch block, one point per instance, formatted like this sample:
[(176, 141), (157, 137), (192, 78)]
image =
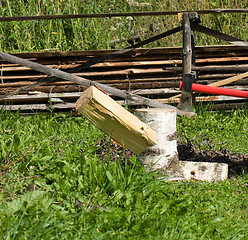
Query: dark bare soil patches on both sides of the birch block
[(187, 151)]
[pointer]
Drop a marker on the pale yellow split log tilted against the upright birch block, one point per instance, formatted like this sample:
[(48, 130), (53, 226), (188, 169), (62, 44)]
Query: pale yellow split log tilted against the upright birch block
[(114, 120)]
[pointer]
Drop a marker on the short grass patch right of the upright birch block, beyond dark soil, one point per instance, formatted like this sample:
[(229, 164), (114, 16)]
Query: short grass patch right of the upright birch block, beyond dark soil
[(226, 130)]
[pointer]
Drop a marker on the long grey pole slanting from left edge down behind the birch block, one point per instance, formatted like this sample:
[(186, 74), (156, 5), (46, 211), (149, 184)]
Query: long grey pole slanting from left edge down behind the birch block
[(85, 82)]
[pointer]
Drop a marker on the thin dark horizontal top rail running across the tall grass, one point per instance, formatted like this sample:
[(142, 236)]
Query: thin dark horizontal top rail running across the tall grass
[(125, 14)]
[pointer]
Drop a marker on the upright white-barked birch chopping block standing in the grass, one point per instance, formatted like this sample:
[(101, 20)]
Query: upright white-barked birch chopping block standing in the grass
[(164, 154)]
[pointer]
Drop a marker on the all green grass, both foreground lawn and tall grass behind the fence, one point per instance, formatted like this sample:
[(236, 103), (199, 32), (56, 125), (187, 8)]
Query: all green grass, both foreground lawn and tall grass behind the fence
[(58, 180)]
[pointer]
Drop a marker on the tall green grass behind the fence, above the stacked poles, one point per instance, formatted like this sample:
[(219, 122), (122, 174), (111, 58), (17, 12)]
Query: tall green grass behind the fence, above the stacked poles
[(96, 33)]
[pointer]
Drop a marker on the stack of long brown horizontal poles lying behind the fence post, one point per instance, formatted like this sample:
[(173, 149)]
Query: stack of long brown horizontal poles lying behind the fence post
[(154, 72)]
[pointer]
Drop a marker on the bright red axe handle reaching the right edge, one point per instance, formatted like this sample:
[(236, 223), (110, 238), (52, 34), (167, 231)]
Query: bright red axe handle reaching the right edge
[(216, 90)]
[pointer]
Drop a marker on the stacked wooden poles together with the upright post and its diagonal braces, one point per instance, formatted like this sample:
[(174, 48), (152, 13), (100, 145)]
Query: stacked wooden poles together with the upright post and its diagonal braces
[(149, 72)]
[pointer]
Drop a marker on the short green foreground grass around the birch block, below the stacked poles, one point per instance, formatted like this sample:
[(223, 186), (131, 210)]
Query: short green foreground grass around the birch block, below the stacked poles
[(54, 186)]
